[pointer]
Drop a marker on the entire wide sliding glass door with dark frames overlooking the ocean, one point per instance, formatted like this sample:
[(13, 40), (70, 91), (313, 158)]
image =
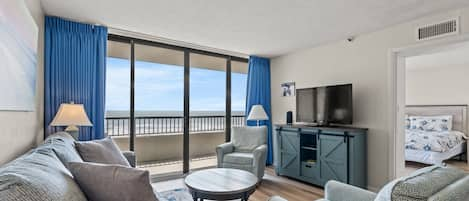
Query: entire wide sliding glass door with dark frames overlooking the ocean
[(172, 105)]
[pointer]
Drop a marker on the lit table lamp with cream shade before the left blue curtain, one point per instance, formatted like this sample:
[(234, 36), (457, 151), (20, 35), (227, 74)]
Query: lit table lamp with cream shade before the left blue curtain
[(71, 115)]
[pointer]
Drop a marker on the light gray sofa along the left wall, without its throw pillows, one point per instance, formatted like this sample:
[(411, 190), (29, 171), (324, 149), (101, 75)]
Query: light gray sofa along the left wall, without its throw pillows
[(40, 174)]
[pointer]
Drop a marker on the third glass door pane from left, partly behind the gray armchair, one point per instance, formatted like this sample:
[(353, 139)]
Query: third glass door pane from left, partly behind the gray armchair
[(207, 109)]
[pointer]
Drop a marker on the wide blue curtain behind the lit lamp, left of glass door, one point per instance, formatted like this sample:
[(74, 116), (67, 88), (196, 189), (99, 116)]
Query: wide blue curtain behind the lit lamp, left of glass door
[(74, 70)]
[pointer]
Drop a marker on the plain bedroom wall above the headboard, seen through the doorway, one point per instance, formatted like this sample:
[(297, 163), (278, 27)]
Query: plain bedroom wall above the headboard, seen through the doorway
[(445, 85)]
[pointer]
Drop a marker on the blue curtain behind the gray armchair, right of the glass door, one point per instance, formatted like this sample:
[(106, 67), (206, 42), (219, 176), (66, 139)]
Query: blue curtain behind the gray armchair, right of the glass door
[(258, 93)]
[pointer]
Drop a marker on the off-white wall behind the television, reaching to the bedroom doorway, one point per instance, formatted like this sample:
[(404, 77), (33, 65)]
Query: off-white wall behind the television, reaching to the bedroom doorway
[(364, 63)]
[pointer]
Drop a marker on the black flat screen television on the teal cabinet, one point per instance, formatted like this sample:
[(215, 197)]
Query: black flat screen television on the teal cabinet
[(325, 105)]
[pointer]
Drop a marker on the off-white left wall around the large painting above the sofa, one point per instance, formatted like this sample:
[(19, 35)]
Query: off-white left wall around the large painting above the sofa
[(19, 131)]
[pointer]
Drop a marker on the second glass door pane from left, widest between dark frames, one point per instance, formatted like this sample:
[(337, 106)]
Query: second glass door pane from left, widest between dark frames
[(159, 107)]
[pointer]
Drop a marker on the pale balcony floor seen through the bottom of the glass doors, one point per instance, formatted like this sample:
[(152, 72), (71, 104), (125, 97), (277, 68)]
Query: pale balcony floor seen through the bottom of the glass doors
[(162, 168)]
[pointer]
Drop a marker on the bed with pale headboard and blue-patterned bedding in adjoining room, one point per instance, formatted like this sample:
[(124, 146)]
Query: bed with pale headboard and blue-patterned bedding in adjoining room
[(434, 146)]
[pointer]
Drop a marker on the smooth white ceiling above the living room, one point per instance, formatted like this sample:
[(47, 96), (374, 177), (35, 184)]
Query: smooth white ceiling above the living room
[(259, 27)]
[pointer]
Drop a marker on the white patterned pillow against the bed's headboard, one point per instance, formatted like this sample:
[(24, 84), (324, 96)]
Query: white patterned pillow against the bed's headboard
[(431, 123)]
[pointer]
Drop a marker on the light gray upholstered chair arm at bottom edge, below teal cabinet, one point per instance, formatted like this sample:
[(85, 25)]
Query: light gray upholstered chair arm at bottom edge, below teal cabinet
[(336, 191)]
